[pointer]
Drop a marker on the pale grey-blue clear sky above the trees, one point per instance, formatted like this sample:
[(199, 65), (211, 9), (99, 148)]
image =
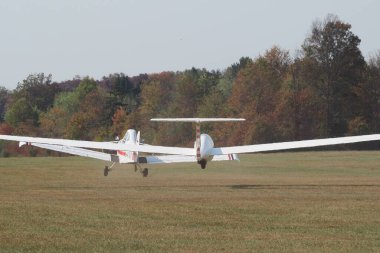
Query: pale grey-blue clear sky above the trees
[(98, 37)]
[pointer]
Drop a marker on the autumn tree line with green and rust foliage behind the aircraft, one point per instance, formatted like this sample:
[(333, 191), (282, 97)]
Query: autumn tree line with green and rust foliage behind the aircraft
[(327, 90)]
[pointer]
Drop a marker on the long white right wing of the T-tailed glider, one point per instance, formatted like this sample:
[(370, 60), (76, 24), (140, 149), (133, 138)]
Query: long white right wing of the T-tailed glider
[(294, 144)]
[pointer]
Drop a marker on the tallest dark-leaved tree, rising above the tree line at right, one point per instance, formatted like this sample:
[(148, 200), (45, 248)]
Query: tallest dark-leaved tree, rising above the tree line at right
[(335, 50)]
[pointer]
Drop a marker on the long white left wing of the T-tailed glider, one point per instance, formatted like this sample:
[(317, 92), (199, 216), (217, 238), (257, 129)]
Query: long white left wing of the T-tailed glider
[(102, 145)]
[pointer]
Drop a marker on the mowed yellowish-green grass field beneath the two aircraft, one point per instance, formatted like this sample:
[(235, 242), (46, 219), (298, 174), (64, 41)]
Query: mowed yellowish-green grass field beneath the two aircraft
[(283, 202)]
